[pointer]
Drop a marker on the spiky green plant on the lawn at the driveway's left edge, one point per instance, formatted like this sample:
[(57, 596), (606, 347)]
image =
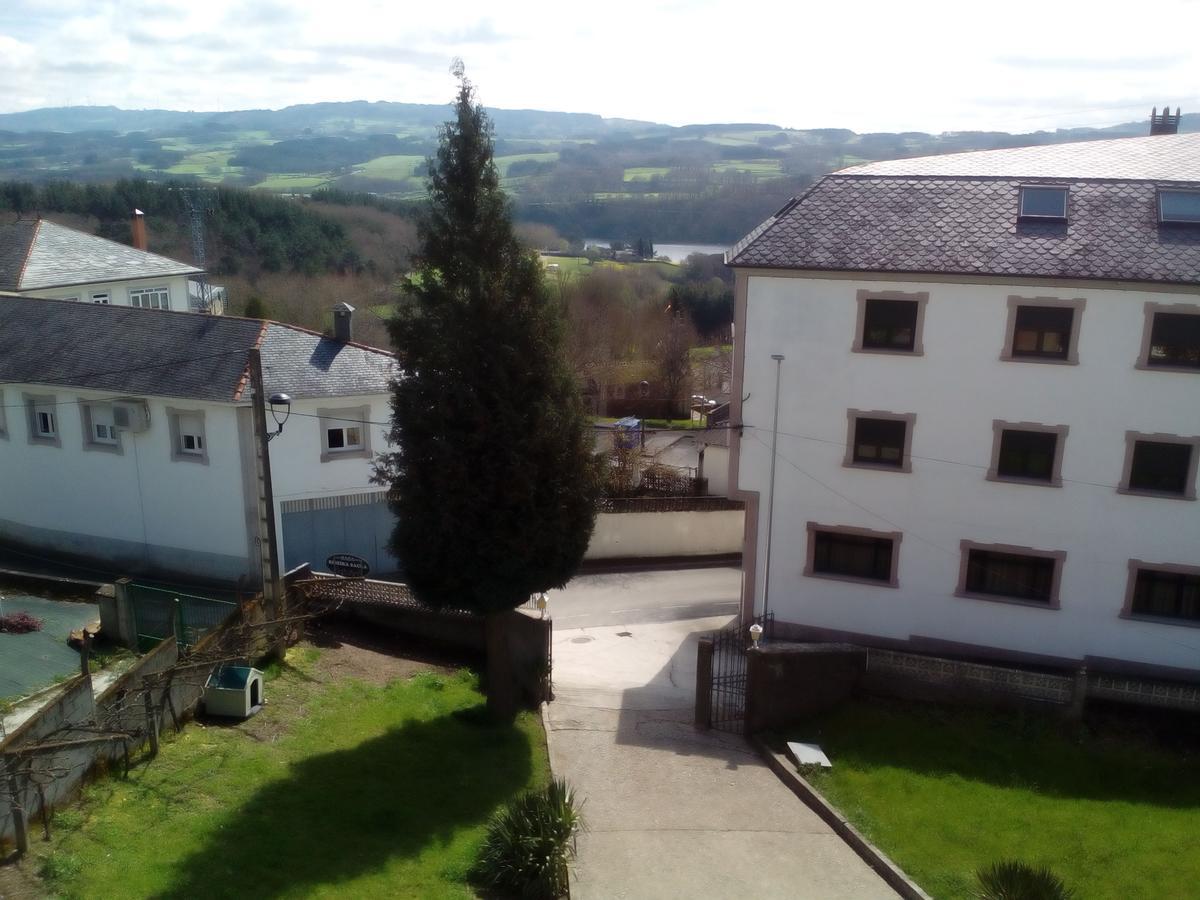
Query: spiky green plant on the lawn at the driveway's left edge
[(530, 844)]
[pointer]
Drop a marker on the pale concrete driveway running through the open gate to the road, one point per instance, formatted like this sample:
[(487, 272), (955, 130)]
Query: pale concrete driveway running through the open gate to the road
[(673, 812)]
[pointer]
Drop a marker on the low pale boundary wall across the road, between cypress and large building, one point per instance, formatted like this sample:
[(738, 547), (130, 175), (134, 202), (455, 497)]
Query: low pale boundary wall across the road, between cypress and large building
[(665, 535)]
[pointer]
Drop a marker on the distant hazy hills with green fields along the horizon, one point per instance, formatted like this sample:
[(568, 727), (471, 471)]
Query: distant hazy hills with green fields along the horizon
[(584, 175)]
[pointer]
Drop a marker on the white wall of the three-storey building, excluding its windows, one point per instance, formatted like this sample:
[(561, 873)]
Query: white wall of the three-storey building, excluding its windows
[(957, 389)]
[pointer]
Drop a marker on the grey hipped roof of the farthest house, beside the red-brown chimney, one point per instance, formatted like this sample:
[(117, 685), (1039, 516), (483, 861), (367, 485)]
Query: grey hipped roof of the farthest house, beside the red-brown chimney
[(39, 254)]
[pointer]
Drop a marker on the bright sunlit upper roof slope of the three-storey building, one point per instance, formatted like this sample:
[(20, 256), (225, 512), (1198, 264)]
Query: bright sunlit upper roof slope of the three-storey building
[(1163, 158)]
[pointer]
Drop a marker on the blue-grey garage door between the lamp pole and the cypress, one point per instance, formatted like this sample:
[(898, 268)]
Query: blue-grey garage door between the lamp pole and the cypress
[(358, 524)]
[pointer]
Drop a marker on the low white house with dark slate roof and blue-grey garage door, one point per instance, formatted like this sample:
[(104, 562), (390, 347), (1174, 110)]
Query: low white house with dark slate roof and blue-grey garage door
[(127, 441)]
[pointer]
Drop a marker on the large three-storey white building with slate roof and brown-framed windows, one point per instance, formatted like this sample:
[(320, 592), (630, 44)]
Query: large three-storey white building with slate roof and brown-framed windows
[(987, 375)]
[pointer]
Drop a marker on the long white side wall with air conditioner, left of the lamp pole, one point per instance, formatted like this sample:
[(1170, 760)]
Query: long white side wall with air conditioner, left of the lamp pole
[(88, 500)]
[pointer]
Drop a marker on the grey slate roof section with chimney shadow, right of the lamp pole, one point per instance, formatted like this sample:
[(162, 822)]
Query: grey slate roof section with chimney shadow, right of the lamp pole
[(304, 364)]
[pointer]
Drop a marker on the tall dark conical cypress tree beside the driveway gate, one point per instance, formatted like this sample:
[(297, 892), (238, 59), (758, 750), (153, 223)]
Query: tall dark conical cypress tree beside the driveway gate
[(494, 482)]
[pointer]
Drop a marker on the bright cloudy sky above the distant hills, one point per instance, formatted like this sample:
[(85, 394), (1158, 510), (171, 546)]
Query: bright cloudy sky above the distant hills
[(869, 67)]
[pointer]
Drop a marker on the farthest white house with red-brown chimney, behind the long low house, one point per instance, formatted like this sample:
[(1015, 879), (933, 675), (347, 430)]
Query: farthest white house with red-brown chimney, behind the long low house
[(43, 259)]
